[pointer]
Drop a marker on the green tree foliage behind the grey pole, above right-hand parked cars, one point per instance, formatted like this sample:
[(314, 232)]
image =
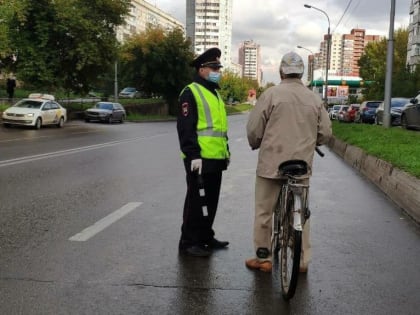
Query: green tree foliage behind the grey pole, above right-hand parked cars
[(373, 68)]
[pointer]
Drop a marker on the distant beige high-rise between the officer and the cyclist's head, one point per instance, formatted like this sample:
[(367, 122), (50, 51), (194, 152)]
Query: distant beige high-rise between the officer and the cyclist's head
[(250, 60)]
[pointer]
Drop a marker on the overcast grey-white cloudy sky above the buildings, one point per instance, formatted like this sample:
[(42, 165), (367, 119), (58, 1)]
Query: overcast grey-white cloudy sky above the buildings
[(278, 26)]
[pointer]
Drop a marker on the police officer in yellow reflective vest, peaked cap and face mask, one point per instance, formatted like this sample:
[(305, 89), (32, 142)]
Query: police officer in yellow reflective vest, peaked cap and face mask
[(202, 132)]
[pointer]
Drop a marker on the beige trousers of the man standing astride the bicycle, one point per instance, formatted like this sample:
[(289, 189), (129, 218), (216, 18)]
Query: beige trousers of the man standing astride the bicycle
[(266, 194)]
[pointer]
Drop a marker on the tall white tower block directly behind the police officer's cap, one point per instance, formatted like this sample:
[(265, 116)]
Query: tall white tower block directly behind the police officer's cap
[(209, 24)]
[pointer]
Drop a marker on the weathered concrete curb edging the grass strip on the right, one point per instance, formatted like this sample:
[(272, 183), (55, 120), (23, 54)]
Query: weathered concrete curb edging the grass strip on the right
[(402, 188)]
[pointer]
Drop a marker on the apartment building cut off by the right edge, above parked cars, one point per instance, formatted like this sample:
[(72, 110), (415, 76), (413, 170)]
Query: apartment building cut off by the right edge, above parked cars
[(413, 45)]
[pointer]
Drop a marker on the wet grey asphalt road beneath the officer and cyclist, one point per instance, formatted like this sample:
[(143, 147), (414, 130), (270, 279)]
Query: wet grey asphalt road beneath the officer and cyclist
[(55, 183)]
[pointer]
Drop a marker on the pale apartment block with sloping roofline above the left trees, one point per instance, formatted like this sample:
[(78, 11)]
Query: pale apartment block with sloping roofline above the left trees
[(142, 15)]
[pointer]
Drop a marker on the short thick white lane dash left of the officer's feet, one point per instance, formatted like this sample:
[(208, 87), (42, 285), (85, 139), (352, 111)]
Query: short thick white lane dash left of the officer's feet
[(104, 222)]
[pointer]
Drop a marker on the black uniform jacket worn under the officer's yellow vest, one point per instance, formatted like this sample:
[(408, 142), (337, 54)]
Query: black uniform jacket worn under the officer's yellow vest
[(187, 128)]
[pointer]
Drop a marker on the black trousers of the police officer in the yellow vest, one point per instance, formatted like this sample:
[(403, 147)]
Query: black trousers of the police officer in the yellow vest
[(197, 228)]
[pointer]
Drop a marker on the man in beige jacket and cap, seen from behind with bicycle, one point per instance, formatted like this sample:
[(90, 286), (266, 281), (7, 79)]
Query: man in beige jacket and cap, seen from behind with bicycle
[(288, 121)]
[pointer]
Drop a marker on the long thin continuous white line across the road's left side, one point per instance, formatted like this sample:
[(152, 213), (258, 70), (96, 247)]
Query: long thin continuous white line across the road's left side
[(30, 158)]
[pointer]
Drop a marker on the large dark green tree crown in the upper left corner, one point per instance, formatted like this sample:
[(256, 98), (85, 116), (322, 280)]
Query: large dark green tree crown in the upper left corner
[(63, 43)]
